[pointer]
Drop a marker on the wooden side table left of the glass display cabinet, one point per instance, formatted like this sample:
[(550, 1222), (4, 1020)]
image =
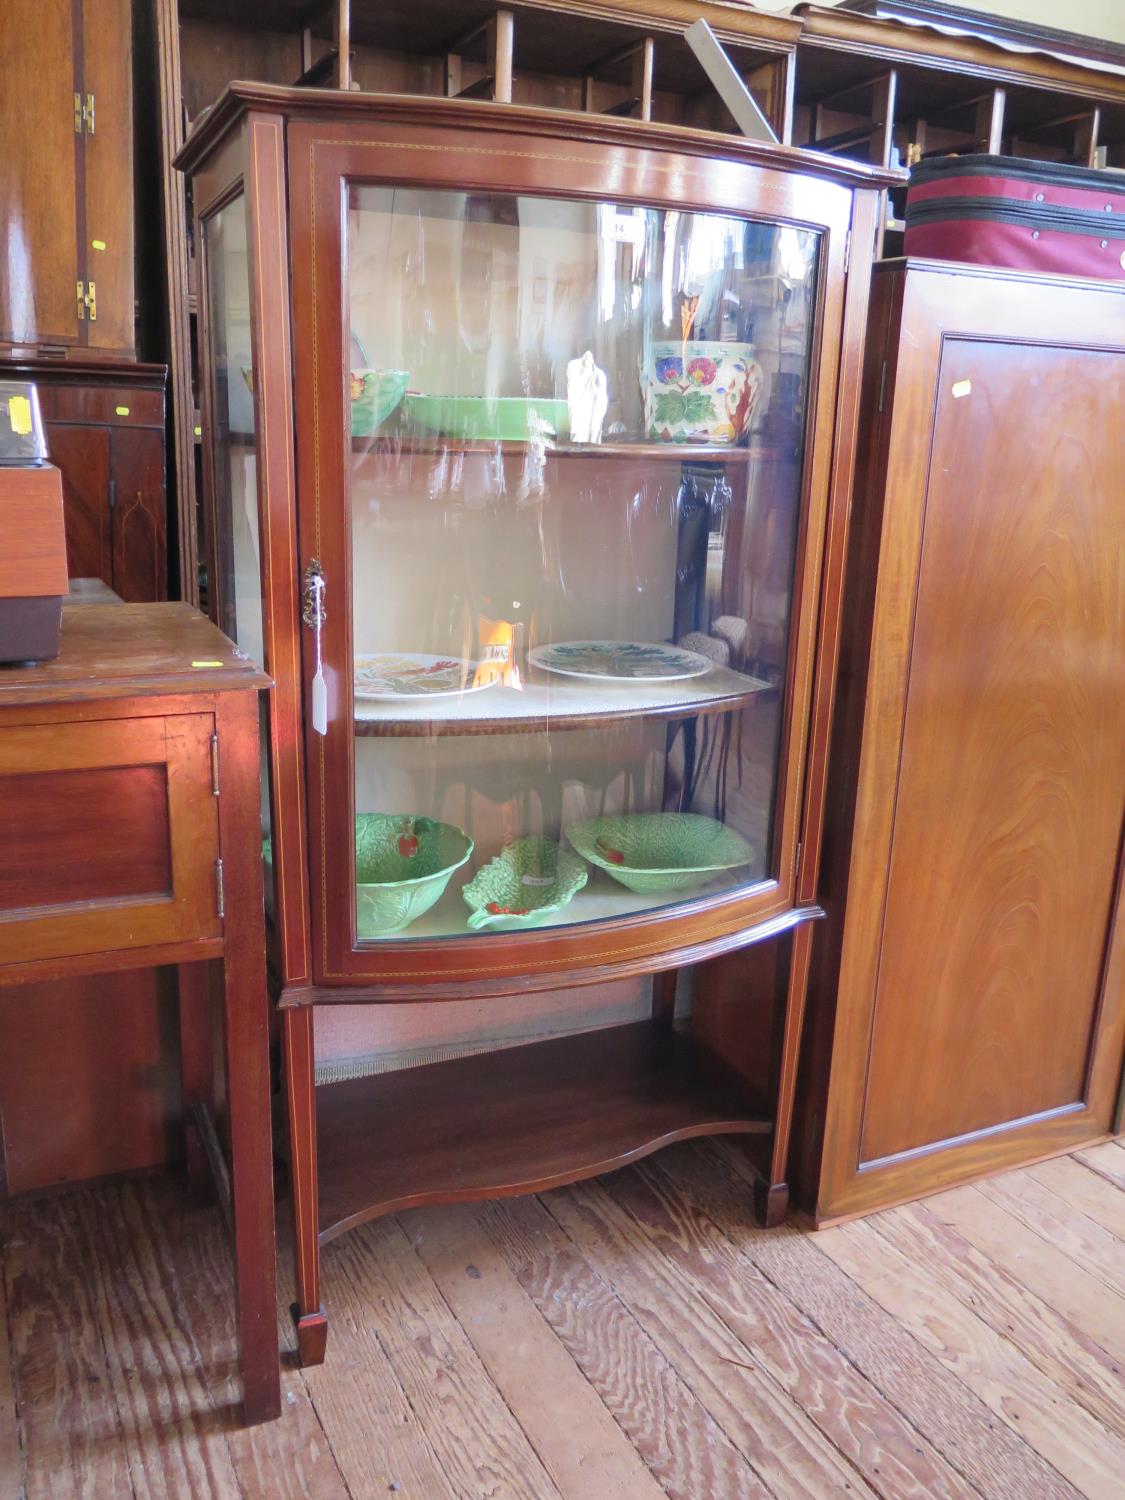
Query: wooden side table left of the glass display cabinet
[(131, 836)]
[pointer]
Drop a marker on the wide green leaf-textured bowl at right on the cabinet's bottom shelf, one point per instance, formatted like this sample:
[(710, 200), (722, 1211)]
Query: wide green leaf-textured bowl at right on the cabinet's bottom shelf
[(658, 853)]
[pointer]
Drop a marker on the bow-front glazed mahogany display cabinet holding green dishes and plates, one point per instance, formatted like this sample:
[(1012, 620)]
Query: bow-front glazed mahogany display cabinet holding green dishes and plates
[(529, 460)]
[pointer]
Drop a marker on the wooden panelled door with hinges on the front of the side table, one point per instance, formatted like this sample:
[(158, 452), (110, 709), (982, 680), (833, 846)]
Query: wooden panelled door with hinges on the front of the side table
[(109, 836)]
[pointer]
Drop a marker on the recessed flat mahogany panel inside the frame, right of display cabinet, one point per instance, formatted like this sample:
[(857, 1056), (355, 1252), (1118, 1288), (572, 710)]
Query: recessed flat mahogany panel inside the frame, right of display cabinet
[(1009, 805)]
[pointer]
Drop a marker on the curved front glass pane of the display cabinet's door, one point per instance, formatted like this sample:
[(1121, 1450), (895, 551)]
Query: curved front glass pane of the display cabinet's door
[(575, 475)]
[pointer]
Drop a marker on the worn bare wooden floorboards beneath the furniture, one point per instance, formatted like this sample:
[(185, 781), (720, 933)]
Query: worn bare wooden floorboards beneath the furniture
[(626, 1339)]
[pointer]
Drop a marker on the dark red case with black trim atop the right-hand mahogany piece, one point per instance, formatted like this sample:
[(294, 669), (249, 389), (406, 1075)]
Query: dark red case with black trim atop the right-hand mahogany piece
[(1004, 211)]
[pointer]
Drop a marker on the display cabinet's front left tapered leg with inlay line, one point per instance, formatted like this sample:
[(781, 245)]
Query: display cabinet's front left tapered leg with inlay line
[(301, 1093)]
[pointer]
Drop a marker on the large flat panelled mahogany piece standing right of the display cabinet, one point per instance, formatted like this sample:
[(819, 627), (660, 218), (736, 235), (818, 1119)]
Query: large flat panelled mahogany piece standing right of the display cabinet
[(968, 1000)]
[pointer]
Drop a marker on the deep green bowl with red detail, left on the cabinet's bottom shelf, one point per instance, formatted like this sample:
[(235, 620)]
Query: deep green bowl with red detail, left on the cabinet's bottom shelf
[(403, 866)]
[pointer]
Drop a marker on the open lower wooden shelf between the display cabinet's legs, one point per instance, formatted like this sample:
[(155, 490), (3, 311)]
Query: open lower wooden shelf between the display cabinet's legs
[(518, 1121)]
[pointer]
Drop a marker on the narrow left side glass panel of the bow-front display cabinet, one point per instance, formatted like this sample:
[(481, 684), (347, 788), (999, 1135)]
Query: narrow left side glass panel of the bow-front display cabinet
[(236, 556)]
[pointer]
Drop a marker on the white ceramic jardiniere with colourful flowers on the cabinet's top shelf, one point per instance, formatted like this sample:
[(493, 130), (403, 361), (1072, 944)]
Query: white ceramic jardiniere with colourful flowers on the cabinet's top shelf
[(700, 391)]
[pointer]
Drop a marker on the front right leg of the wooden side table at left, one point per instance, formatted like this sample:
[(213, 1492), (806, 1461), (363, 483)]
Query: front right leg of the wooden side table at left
[(247, 1045)]
